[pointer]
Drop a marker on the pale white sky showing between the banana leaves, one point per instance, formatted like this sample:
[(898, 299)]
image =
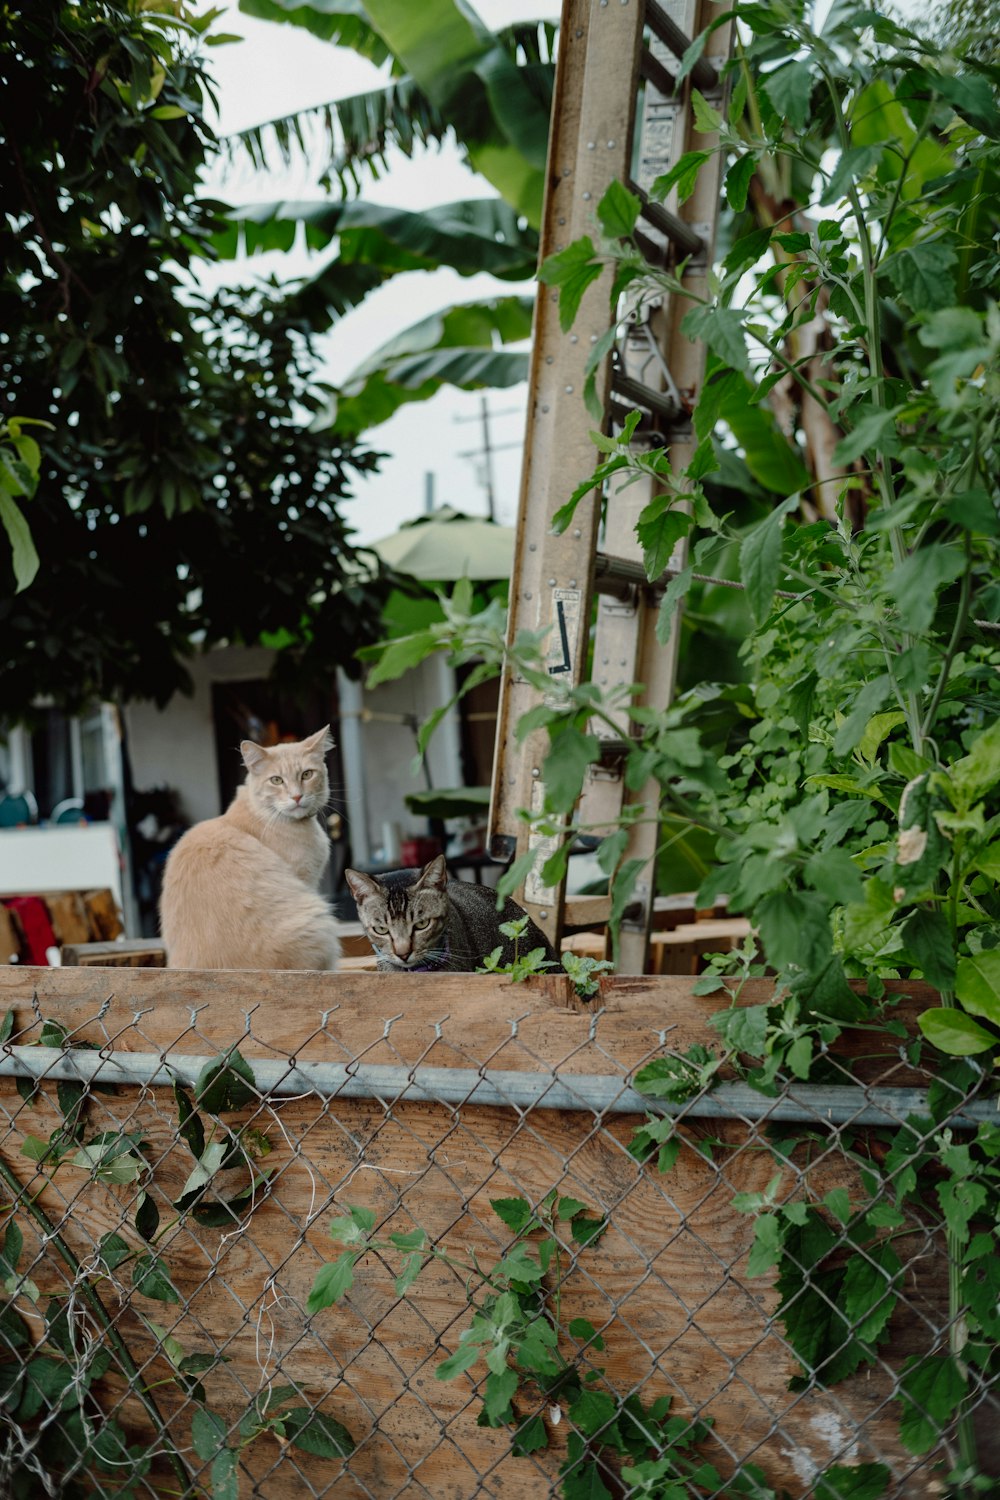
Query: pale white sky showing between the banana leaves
[(278, 70)]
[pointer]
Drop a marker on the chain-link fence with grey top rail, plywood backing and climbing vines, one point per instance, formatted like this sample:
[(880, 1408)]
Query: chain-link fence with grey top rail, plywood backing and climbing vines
[(540, 1280)]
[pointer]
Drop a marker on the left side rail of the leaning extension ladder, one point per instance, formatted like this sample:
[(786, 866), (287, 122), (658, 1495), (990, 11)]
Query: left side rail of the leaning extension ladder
[(554, 577)]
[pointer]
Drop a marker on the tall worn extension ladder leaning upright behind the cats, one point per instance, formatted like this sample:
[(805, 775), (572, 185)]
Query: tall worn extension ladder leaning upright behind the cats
[(611, 55)]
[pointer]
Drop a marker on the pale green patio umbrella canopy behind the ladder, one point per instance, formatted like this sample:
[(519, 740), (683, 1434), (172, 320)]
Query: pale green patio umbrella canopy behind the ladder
[(448, 545)]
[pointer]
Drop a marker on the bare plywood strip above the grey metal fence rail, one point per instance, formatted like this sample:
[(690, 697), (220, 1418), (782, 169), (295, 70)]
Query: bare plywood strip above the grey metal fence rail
[(440, 1021)]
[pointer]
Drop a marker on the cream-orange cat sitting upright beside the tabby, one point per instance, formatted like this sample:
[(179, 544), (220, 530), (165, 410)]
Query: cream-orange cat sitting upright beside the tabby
[(241, 892)]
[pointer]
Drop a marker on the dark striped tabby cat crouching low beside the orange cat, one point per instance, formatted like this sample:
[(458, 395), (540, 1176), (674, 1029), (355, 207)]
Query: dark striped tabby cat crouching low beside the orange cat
[(421, 920)]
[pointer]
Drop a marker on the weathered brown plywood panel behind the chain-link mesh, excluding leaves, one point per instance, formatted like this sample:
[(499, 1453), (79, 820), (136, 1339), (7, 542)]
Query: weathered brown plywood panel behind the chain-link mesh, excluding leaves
[(666, 1285)]
